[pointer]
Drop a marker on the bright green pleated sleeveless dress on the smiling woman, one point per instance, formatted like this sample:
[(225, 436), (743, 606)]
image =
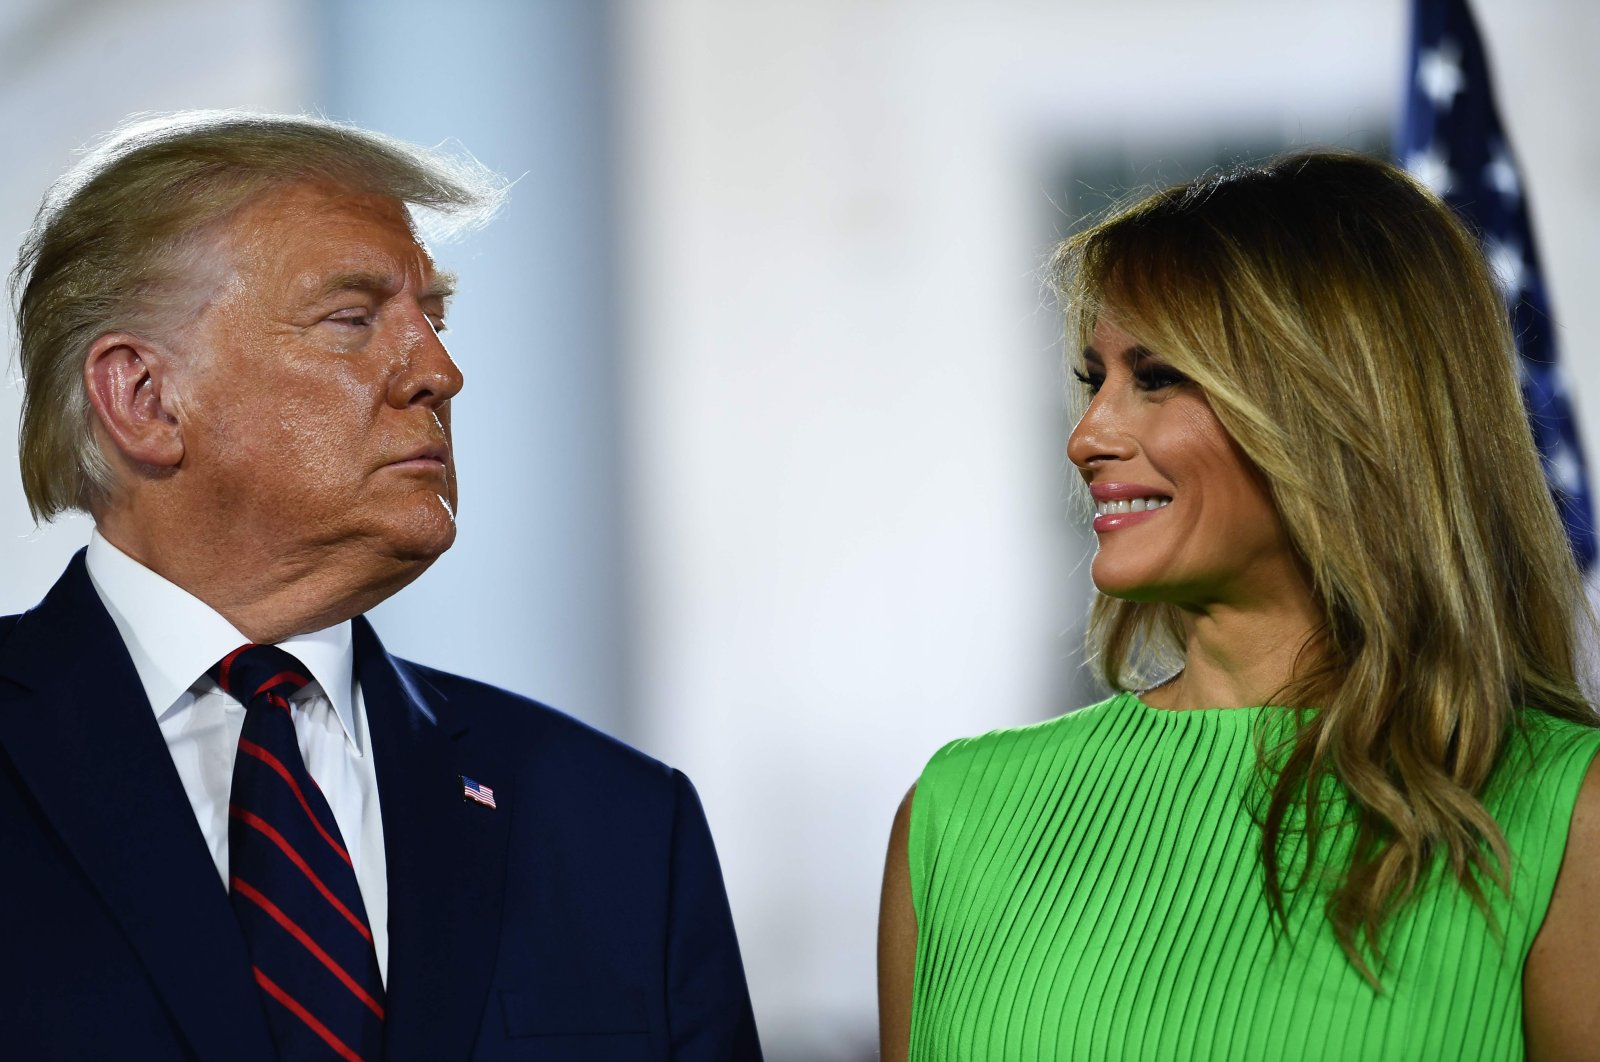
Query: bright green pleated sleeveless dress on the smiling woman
[(1090, 888)]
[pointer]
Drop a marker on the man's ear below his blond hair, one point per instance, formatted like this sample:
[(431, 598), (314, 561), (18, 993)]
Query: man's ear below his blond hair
[(127, 381)]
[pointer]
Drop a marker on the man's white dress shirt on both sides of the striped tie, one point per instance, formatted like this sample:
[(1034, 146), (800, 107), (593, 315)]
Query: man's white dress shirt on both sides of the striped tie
[(174, 639)]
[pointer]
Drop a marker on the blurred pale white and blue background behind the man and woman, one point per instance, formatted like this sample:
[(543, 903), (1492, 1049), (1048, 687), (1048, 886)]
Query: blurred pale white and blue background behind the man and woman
[(762, 437)]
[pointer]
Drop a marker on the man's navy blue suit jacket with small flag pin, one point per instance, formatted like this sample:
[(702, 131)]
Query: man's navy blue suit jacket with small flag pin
[(582, 919)]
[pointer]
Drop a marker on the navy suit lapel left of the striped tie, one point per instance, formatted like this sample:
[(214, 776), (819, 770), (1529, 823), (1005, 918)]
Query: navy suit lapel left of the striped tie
[(86, 741)]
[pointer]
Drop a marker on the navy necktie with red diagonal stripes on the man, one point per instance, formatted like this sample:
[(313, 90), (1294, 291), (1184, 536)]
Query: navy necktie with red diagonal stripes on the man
[(292, 880)]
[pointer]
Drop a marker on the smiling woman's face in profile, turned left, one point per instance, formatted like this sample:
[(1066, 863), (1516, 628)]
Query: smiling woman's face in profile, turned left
[(1182, 516)]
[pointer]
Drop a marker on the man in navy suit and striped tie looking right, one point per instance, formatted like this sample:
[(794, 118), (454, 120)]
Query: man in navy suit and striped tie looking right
[(234, 828)]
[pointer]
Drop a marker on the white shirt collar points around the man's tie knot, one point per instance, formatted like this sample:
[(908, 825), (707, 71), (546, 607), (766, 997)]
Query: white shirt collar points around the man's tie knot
[(175, 637)]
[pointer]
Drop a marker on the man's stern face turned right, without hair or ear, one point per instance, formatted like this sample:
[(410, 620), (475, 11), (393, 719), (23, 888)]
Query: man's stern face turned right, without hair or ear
[(316, 407)]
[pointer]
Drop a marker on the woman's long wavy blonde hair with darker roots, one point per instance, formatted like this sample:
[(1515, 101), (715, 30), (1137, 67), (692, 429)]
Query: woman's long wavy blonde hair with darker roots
[(1348, 335)]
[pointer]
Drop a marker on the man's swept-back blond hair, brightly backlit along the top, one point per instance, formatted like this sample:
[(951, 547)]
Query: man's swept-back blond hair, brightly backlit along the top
[(114, 250)]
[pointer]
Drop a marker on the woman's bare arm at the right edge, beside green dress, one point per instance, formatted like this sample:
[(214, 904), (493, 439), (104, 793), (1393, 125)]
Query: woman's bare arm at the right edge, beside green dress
[(1561, 983)]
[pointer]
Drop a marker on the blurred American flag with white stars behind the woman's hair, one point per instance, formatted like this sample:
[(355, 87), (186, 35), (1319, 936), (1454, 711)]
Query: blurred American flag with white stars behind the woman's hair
[(1454, 142)]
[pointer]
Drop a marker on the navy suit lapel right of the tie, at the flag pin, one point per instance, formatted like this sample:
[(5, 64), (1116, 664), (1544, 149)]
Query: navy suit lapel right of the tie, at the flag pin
[(446, 861)]
